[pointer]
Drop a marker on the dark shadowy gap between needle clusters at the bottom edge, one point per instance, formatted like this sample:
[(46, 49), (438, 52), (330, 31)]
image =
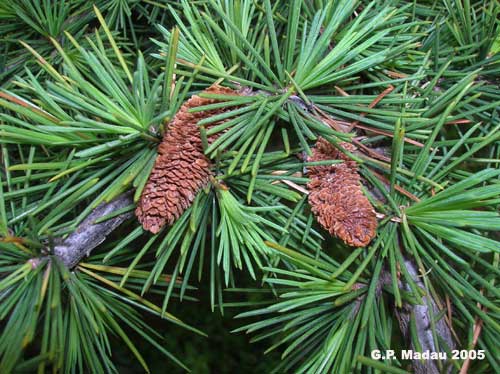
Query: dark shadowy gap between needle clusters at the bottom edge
[(220, 352)]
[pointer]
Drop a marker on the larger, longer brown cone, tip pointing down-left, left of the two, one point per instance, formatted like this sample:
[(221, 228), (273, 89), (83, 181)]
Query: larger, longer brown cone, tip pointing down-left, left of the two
[(181, 169)]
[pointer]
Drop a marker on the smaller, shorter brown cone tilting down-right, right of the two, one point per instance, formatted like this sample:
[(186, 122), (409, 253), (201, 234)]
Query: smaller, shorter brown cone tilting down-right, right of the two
[(336, 198)]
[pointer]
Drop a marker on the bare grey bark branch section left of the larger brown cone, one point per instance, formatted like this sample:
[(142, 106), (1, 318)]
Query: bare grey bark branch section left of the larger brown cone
[(89, 234)]
